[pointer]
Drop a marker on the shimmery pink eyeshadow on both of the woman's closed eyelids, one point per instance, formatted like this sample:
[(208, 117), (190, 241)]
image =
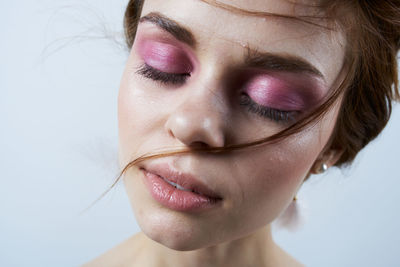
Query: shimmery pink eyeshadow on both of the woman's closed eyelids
[(277, 90)]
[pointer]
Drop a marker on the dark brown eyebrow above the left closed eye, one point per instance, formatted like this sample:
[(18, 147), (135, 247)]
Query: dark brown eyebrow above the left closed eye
[(179, 32)]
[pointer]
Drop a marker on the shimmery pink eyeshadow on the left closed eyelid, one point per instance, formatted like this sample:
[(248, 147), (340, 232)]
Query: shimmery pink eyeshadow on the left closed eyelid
[(164, 57)]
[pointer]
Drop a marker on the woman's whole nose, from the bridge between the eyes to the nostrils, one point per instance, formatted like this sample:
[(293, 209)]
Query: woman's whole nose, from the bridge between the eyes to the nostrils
[(200, 116)]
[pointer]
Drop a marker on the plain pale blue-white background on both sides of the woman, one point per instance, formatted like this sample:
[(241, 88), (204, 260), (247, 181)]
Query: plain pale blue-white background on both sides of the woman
[(58, 147)]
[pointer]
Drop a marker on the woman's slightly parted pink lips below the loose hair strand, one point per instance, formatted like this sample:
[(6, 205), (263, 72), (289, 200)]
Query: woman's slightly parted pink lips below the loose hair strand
[(177, 190)]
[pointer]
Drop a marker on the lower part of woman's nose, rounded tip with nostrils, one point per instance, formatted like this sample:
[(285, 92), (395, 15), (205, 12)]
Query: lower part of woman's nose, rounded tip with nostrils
[(198, 121)]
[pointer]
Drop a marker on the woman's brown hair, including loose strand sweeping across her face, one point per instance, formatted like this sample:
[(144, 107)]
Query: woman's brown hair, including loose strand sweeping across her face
[(370, 83)]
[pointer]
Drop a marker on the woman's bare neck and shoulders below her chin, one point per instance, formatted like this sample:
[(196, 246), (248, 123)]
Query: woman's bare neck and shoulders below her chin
[(255, 250)]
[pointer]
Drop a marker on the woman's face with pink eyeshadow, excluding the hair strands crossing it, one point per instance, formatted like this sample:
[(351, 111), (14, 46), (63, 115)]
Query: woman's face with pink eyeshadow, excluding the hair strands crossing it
[(199, 75)]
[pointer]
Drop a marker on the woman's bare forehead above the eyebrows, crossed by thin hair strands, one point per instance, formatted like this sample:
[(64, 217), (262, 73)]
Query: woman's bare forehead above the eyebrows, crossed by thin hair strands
[(222, 31)]
